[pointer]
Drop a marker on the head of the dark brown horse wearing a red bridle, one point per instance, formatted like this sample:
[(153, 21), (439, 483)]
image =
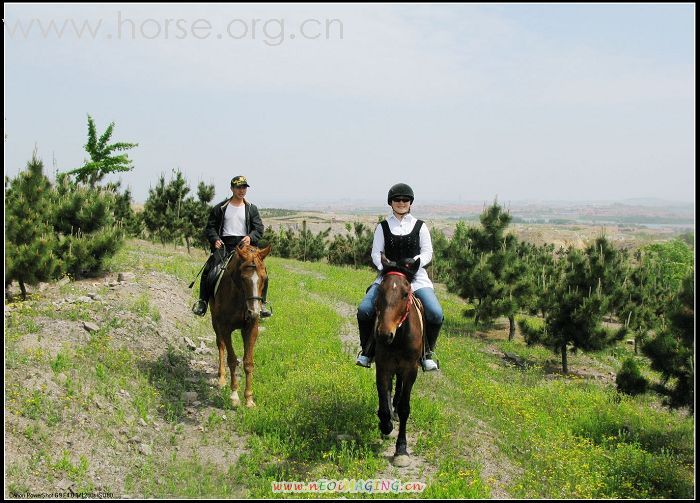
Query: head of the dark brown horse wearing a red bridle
[(395, 297)]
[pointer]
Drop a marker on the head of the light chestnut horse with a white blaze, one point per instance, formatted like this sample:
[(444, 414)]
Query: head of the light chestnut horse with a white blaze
[(249, 275)]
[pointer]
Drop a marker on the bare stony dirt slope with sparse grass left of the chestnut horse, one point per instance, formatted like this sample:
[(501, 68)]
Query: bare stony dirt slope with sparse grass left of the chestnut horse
[(75, 437)]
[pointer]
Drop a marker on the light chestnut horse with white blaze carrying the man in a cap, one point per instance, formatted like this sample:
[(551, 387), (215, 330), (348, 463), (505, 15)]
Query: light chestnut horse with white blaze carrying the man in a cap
[(237, 304)]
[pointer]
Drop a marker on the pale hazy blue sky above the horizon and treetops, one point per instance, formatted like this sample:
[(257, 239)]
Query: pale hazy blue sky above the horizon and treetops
[(338, 102)]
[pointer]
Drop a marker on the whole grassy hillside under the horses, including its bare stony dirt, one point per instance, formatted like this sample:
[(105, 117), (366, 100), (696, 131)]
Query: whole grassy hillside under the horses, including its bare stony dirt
[(106, 411)]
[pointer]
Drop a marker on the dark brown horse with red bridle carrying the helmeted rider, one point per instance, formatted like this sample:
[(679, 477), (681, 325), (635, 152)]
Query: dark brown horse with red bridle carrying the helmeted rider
[(399, 346)]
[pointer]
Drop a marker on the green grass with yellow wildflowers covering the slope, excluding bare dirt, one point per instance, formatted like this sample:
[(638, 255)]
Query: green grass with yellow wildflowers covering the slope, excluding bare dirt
[(562, 437)]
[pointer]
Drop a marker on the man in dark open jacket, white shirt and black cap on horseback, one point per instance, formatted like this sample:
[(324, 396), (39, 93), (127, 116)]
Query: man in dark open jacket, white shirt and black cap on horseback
[(231, 222)]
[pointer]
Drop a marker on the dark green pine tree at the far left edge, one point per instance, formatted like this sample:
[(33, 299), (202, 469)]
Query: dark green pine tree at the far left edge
[(29, 238)]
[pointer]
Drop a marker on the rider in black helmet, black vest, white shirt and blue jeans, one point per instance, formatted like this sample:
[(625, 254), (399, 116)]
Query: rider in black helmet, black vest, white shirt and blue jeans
[(401, 237)]
